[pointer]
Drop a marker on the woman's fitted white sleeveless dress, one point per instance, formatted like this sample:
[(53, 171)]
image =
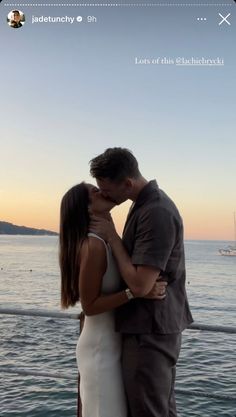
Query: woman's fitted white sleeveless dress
[(98, 356)]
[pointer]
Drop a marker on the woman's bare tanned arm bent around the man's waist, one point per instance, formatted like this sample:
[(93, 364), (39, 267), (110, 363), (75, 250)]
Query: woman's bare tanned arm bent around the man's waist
[(93, 264)]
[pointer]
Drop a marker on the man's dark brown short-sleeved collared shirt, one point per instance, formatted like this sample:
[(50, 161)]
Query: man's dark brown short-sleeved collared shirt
[(153, 236)]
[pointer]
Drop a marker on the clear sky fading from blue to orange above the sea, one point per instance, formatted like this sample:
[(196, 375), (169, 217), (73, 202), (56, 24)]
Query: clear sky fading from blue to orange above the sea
[(69, 91)]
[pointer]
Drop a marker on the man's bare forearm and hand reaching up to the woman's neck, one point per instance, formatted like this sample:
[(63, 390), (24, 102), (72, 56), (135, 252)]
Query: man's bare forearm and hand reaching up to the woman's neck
[(140, 279)]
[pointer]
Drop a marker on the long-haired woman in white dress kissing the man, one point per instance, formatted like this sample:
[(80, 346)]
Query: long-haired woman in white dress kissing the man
[(89, 274)]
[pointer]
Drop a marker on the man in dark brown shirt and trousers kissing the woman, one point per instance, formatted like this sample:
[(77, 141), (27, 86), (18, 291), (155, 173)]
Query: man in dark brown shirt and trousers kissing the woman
[(151, 246)]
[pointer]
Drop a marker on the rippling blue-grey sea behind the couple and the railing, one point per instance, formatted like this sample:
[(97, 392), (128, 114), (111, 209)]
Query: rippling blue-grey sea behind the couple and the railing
[(29, 278)]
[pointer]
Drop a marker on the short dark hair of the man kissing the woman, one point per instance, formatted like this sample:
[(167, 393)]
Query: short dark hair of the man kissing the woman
[(116, 164)]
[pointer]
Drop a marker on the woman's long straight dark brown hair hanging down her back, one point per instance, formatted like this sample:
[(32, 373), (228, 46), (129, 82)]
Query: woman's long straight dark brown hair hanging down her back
[(74, 222)]
